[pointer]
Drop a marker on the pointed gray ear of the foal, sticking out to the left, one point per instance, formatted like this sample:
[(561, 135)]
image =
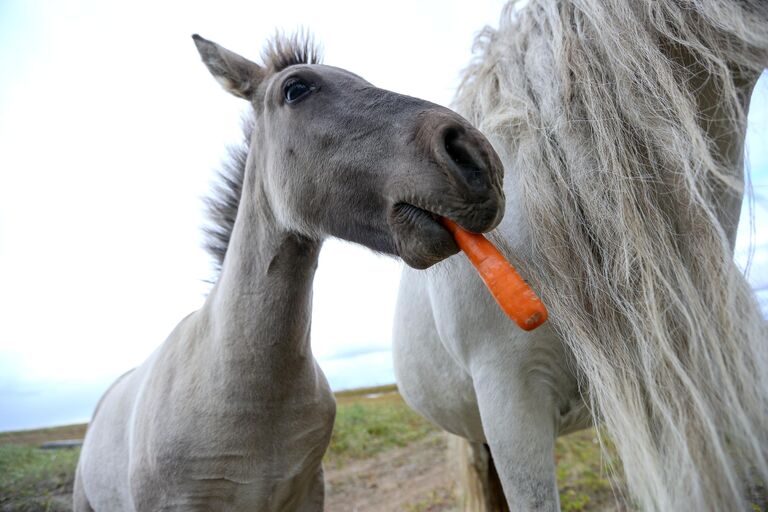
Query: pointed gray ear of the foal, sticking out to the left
[(236, 74)]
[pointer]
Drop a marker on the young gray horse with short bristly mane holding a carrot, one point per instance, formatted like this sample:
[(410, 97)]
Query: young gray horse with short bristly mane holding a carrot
[(232, 411)]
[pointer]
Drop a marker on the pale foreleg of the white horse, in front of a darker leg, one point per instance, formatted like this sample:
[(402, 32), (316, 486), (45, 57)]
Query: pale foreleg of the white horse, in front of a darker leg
[(519, 426)]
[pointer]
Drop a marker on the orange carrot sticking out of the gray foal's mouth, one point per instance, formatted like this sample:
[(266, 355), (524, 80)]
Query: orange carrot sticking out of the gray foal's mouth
[(512, 293)]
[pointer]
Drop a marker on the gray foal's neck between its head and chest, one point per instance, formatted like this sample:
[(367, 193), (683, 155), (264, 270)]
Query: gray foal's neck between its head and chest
[(261, 305)]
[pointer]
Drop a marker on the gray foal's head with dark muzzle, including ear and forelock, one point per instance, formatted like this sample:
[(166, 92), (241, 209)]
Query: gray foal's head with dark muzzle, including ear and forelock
[(337, 156)]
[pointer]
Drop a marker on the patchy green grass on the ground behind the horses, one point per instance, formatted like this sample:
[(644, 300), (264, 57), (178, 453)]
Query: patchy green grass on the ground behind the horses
[(368, 421)]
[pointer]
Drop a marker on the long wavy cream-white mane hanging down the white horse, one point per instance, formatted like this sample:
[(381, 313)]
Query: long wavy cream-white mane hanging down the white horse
[(622, 190)]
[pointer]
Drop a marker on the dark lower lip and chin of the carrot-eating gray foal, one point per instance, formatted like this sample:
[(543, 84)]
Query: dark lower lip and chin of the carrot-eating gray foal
[(420, 239)]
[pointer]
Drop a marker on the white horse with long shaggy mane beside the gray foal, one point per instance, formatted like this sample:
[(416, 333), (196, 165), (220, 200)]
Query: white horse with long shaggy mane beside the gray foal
[(621, 125)]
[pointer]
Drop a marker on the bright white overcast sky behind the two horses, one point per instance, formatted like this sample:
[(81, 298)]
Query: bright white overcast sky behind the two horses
[(110, 127)]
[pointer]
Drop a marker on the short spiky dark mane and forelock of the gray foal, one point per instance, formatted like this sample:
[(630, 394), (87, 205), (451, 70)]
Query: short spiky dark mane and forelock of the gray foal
[(223, 201)]
